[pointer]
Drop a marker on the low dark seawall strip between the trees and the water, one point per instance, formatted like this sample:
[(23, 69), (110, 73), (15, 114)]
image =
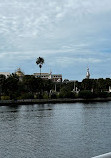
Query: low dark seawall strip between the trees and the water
[(48, 101)]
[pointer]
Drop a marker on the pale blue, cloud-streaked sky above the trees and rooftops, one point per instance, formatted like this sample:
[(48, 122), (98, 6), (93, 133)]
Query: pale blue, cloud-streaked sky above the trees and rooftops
[(70, 35)]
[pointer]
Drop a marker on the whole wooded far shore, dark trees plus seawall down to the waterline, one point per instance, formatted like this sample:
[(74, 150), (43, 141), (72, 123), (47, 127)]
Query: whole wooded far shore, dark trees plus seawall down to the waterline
[(29, 89)]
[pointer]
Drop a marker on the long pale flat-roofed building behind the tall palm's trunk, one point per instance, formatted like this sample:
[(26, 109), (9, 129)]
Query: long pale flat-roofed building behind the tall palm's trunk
[(46, 76)]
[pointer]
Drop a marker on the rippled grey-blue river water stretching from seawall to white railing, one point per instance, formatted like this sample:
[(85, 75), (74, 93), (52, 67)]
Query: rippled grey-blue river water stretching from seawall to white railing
[(75, 130)]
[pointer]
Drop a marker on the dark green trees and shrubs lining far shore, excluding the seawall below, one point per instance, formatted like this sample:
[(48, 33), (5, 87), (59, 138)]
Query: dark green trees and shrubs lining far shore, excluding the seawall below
[(31, 87)]
